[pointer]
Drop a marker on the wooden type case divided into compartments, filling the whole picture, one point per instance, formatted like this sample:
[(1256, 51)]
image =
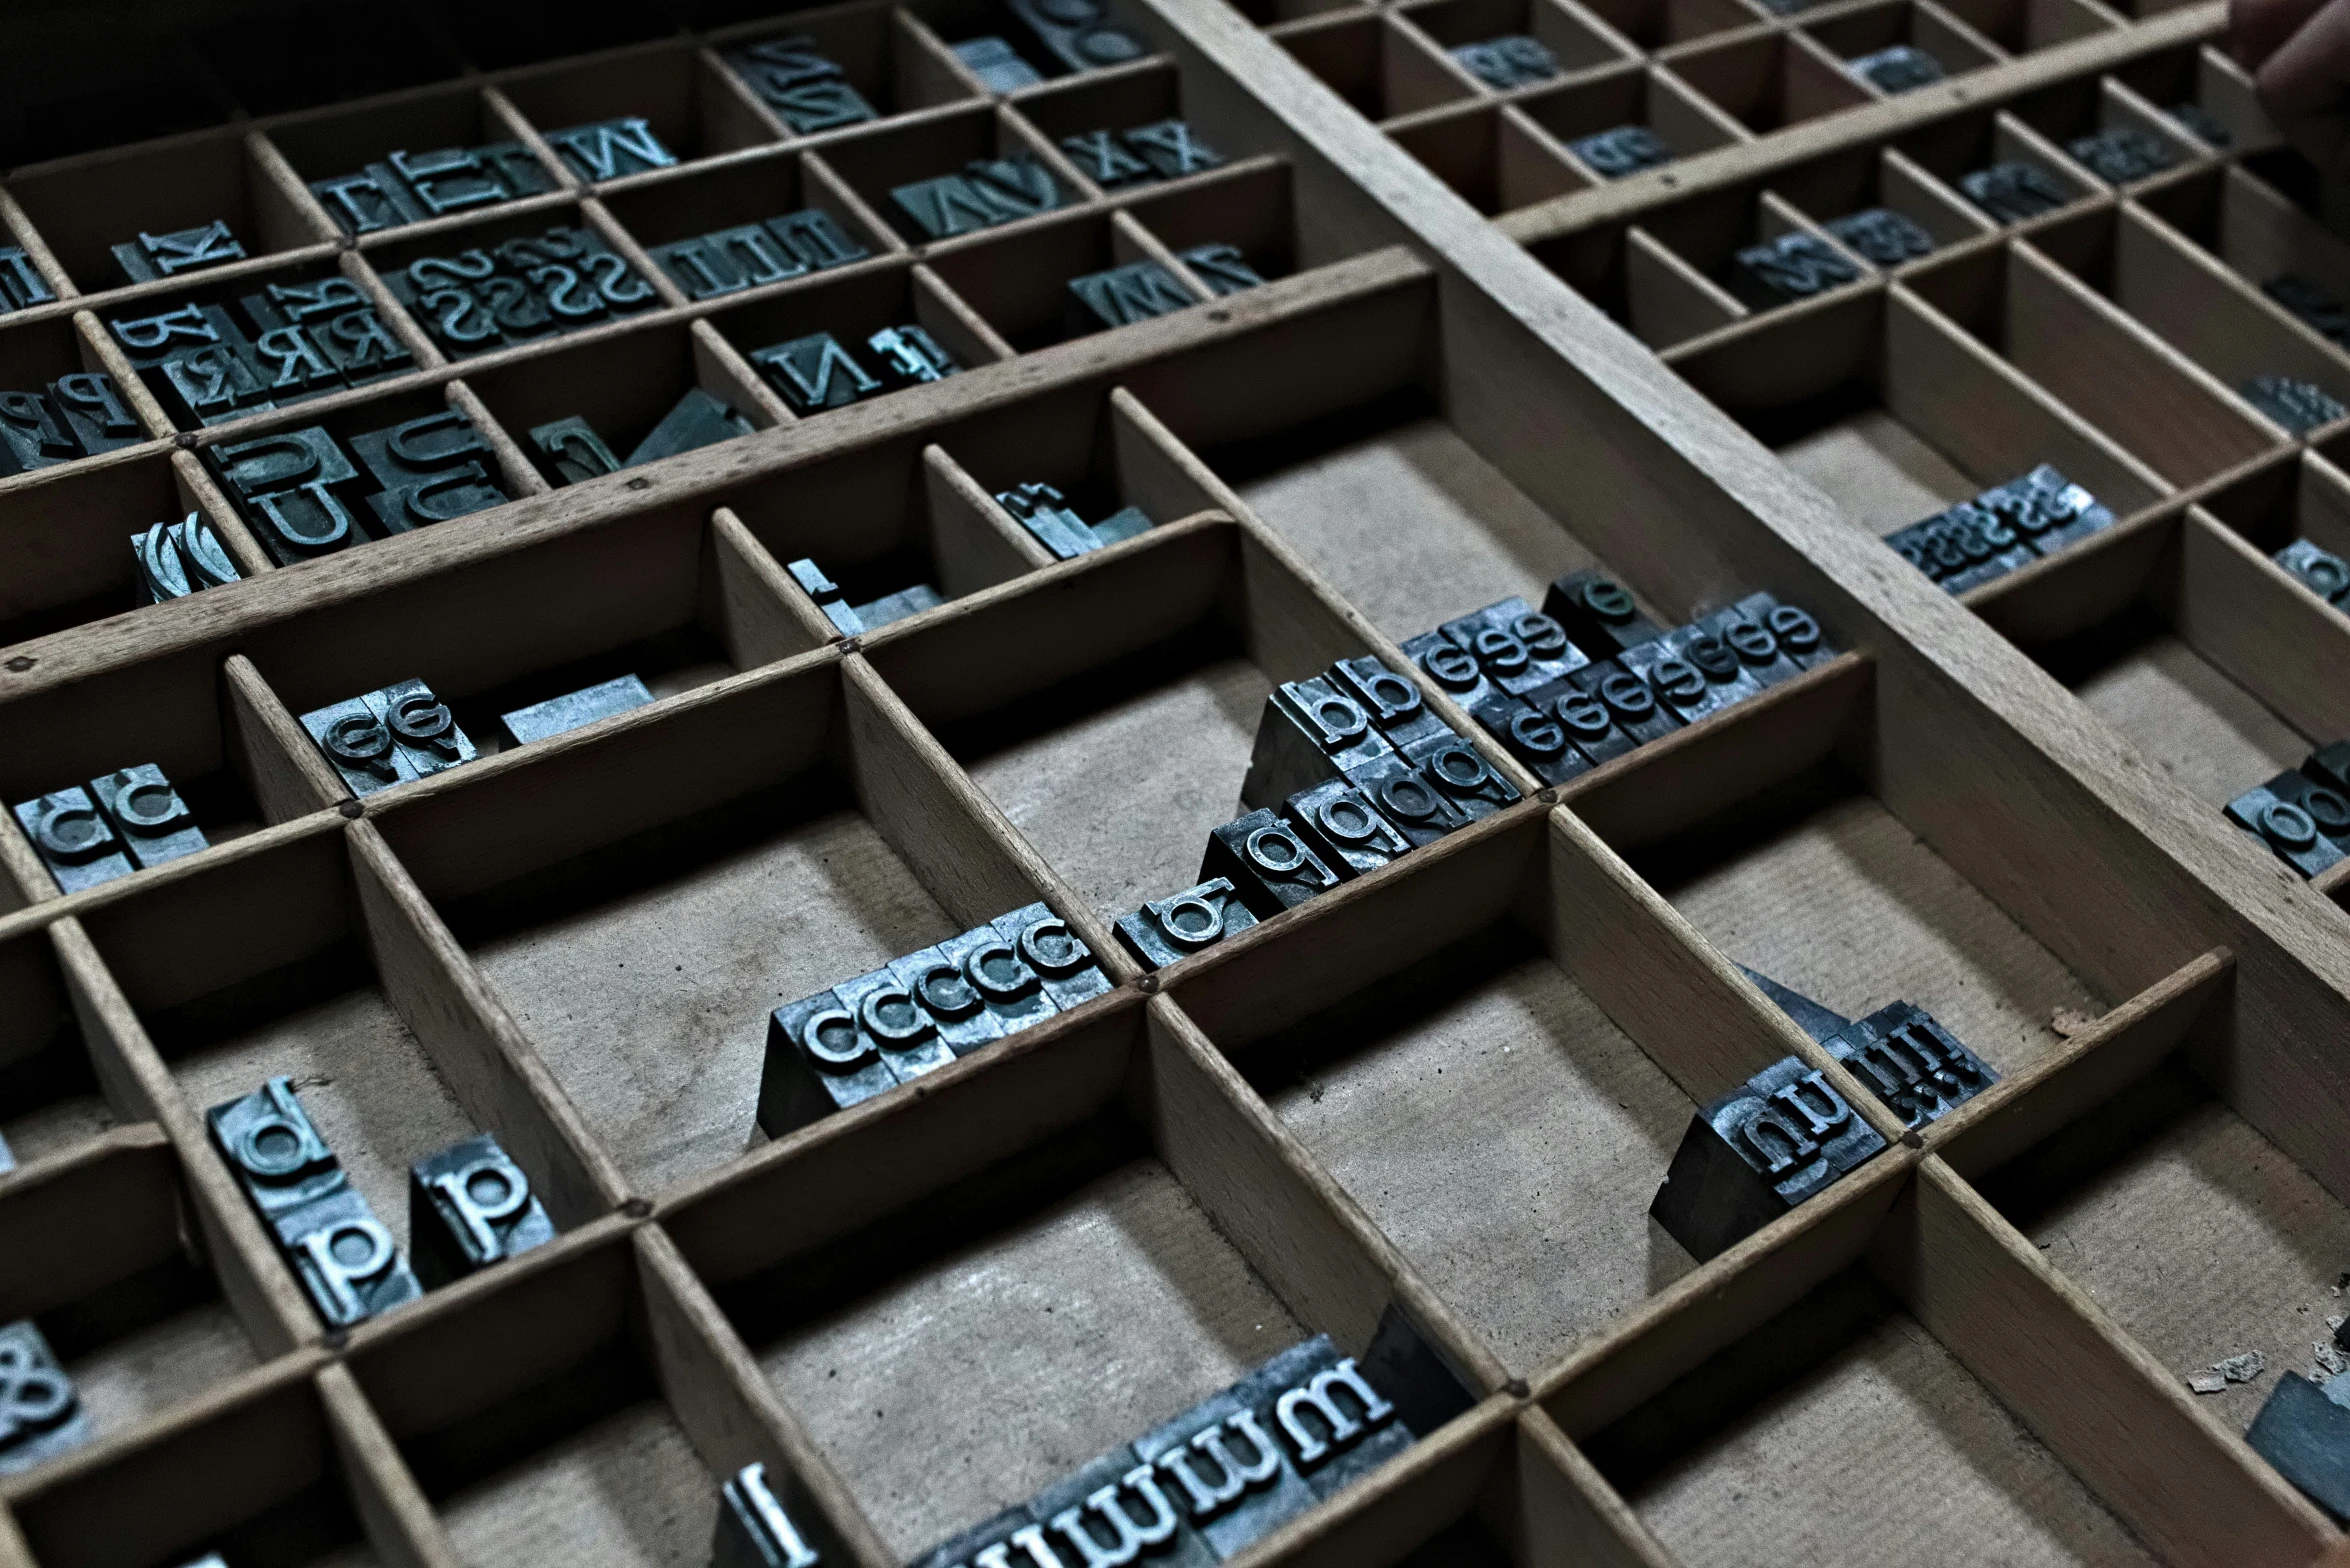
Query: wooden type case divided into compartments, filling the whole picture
[(1449, 1087)]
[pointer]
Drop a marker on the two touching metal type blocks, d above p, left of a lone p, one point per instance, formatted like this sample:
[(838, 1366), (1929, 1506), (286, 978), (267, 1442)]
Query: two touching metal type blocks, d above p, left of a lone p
[(342, 1254)]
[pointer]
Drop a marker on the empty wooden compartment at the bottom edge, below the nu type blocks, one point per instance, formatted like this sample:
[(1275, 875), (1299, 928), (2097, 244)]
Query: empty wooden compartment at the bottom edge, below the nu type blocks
[(1844, 1430)]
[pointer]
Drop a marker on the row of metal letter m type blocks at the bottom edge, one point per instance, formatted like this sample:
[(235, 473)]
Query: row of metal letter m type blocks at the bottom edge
[(1226, 1473)]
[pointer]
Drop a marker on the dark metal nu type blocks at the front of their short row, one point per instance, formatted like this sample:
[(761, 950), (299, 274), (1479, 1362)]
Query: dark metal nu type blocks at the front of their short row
[(1766, 1146)]
